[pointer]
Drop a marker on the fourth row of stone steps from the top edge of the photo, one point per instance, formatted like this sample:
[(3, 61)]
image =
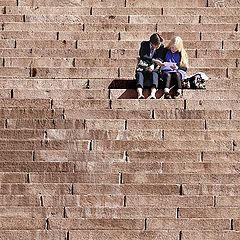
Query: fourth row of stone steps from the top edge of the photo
[(118, 27)]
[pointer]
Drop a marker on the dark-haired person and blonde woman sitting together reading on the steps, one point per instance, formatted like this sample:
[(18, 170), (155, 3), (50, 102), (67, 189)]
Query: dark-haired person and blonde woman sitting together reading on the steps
[(156, 61)]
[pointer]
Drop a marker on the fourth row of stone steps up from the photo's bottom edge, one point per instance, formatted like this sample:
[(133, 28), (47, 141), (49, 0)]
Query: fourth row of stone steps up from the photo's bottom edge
[(114, 201)]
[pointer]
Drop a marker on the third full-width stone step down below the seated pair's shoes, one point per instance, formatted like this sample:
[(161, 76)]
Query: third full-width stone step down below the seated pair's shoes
[(120, 124)]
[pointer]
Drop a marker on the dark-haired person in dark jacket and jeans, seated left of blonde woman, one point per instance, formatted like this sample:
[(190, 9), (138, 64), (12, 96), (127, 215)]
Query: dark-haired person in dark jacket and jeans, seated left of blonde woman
[(150, 55)]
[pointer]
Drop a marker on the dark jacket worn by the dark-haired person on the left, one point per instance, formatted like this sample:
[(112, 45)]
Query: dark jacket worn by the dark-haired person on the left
[(144, 52)]
